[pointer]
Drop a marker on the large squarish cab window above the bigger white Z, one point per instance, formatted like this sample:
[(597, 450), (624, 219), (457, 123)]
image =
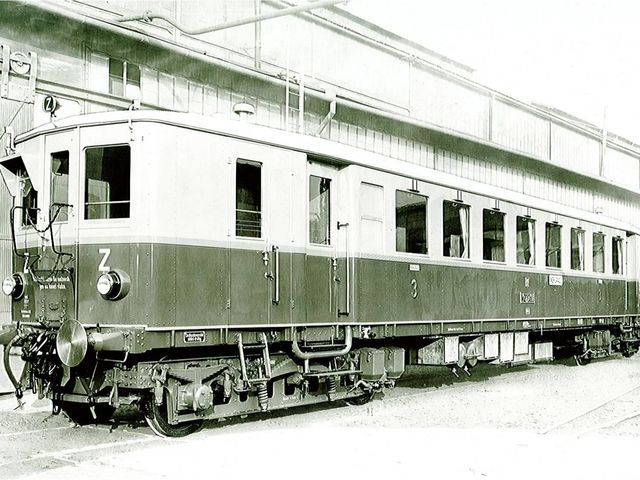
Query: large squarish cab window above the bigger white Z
[(107, 186)]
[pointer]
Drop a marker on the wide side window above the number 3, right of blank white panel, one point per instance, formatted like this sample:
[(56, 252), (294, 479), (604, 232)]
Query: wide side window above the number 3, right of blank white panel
[(411, 222)]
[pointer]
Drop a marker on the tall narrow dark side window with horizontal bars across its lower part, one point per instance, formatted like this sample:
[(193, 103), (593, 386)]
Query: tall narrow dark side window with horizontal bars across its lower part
[(248, 199)]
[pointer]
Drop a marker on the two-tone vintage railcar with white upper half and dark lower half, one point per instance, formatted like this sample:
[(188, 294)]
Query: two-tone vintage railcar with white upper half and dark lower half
[(204, 268)]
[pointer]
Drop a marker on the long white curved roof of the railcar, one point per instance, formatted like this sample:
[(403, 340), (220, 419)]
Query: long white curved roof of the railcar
[(322, 148)]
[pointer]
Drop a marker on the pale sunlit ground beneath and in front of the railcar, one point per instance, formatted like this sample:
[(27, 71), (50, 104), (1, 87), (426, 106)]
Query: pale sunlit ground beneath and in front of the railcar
[(499, 424)]
